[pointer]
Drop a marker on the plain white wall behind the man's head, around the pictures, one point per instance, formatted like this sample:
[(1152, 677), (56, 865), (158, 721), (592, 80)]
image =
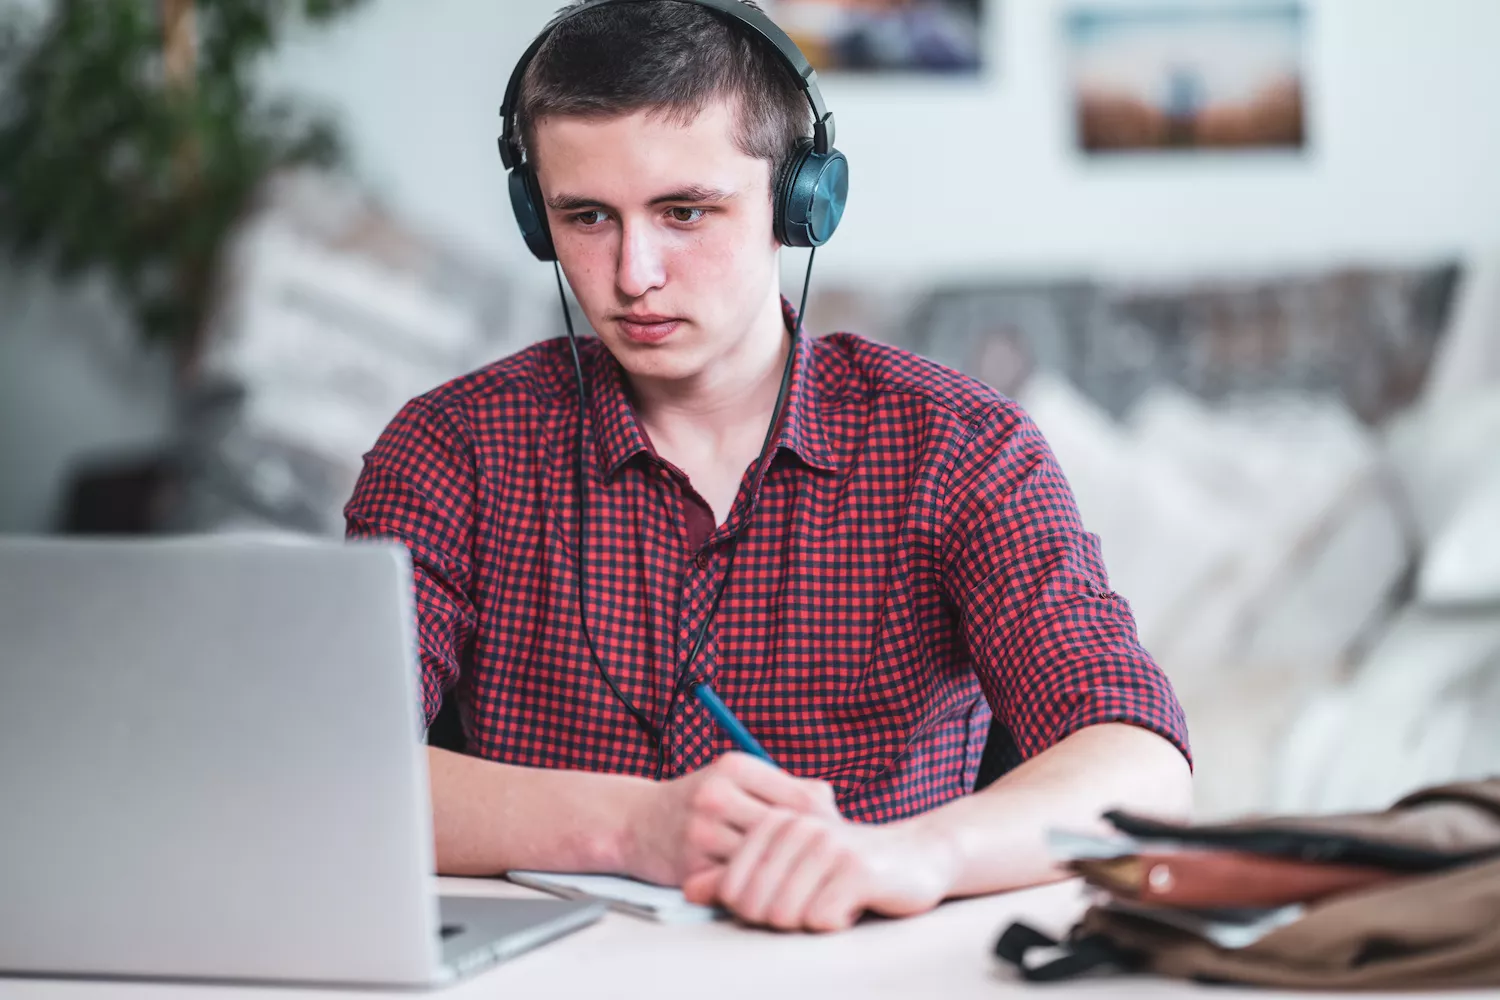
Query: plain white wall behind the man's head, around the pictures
[(949, 176)]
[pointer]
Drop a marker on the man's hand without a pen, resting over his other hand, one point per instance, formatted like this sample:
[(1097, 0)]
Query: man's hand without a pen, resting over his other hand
[(820, 873)]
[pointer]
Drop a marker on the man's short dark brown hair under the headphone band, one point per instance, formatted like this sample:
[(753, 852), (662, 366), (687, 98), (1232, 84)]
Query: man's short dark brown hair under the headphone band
[(670, 59)]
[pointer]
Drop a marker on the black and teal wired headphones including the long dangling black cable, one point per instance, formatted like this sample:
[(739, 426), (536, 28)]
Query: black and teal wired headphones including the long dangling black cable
[(811, 194)]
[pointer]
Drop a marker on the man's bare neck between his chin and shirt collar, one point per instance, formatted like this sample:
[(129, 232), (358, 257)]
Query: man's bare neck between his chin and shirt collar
[(727, 406)]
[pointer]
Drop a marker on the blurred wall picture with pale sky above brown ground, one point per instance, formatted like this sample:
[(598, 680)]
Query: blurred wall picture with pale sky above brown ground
[(1208, 76)]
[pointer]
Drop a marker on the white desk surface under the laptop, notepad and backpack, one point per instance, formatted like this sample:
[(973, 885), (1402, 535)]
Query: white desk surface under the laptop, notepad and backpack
[(943, 954)]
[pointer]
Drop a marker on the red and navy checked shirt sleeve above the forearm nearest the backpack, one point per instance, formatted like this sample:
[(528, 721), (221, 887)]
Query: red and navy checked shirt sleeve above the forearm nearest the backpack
[(1055, 648)]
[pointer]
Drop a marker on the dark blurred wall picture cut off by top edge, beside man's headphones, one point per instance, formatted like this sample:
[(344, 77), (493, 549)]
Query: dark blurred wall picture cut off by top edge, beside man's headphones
[(886, 37)]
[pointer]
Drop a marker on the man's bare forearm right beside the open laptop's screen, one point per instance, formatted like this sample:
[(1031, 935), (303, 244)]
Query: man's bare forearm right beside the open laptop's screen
[(491, 818)]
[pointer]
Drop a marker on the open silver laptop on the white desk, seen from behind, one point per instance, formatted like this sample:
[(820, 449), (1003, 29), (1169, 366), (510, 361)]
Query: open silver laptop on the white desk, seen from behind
[(211, 768)]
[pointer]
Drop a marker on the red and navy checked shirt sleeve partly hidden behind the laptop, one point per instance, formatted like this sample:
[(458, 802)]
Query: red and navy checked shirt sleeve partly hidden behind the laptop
[(418, 488)]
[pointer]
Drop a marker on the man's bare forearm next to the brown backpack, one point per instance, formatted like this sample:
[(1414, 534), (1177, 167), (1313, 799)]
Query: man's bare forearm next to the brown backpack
[(997, 840)]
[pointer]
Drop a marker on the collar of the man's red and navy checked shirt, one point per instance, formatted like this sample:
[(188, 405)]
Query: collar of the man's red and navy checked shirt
[(619, 436)]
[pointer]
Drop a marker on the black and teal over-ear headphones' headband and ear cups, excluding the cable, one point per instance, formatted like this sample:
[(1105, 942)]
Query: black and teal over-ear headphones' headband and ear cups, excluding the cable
[(811, 190)]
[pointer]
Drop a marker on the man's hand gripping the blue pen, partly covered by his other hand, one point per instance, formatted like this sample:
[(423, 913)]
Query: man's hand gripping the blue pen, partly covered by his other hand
[(701, 821)]
